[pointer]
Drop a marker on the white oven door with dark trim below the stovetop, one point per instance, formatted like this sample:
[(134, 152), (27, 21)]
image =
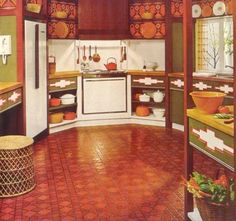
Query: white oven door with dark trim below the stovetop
[(104, 95)]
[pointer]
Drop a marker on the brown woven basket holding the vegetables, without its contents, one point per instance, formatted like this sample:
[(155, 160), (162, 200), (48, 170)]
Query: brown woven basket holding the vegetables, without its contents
[(214, 212)]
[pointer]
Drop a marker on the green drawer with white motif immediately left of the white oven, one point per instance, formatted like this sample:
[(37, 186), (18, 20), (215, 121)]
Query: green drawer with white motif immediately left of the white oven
[(62, 84)]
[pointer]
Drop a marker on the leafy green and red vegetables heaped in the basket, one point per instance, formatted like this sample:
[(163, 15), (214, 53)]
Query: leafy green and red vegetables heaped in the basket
[(219, 191)]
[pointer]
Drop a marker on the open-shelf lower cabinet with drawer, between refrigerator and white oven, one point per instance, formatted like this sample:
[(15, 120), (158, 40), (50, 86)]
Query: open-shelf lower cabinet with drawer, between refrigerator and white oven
[(59, 86)]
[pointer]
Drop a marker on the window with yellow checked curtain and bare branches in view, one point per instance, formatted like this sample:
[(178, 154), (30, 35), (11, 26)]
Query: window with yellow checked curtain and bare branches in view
[(214, 44)]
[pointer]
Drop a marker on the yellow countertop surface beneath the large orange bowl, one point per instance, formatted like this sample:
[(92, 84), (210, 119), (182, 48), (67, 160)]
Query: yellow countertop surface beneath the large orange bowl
[(211, 121)]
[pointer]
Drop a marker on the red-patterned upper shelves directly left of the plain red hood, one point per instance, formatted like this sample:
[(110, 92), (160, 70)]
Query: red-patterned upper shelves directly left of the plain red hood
[(62, 19)]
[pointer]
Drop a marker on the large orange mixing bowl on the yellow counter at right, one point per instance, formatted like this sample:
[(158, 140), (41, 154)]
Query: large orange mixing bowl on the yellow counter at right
[(207, 101)]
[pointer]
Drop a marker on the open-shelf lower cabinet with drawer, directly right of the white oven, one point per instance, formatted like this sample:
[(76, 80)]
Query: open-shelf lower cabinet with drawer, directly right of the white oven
[(145, 84)]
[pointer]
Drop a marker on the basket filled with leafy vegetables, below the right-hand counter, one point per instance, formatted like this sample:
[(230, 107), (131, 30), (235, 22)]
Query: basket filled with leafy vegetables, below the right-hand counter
[(214, 198)]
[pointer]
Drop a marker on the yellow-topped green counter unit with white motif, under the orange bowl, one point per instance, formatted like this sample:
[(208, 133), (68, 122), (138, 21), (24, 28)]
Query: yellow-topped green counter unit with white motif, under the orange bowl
[(212, 136)]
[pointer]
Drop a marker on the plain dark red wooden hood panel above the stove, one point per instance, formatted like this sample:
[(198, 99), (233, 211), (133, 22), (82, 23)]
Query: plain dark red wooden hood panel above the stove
[(103, 19)]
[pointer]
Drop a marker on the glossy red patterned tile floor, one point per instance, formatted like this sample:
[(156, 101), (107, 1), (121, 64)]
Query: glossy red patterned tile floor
[(109, 173)]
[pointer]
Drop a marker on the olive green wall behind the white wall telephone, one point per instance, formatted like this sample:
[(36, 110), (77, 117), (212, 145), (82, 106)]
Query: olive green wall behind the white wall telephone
[(8, 72)]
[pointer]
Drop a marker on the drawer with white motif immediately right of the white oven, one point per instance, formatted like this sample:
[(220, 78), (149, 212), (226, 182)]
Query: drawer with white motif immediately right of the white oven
[(148, 81)]
